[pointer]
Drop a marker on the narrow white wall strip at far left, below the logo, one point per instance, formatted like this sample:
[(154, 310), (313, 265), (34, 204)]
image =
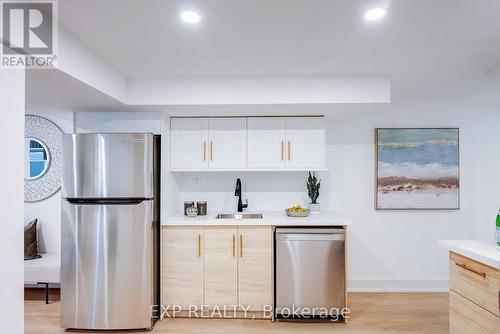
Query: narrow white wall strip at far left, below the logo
[(11, 200)]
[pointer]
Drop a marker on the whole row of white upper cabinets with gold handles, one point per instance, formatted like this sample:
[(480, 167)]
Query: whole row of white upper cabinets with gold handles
[(253, 143)]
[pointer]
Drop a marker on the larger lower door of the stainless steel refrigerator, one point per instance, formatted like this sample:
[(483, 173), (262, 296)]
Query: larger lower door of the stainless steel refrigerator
[(107, 266)]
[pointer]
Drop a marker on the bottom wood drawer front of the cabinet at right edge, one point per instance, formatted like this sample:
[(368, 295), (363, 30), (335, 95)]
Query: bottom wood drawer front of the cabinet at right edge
[(467, 317)]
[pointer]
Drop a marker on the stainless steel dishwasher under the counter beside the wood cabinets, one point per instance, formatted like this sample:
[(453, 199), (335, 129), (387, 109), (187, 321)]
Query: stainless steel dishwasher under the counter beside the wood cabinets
[(310, 271)]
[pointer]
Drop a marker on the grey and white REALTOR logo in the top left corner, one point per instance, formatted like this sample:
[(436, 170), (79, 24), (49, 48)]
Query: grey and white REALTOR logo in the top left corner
[(29, 34)]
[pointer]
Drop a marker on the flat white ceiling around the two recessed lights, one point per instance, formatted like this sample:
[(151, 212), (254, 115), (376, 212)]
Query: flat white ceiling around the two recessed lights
[(427, 47)]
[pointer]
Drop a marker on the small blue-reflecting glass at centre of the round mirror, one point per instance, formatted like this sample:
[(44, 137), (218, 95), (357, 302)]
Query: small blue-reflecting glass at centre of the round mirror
[(36, 159)]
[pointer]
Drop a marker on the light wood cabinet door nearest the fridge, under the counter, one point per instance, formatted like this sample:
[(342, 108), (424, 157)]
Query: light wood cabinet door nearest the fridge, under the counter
[(182, 263)]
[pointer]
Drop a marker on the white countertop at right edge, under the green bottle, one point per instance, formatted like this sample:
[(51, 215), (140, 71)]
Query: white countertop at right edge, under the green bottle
[(476, 250)]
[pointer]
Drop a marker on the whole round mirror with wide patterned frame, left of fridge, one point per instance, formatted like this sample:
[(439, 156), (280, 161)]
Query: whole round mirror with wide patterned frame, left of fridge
[(43, 158)]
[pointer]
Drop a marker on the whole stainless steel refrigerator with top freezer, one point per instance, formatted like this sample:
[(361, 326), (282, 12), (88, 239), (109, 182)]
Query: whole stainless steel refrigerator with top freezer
[(110, 231)]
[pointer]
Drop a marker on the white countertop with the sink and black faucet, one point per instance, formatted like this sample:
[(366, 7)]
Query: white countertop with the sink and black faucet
[(269, 218)]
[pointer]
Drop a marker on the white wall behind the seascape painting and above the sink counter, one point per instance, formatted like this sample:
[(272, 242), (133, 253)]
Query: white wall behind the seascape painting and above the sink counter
[(387, 250)]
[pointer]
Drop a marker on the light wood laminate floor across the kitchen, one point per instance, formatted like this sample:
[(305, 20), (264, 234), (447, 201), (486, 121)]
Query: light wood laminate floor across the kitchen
[(371, 313)]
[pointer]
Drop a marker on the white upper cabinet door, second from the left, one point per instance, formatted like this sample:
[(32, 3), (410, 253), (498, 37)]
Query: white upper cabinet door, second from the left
[(227, 144)]
